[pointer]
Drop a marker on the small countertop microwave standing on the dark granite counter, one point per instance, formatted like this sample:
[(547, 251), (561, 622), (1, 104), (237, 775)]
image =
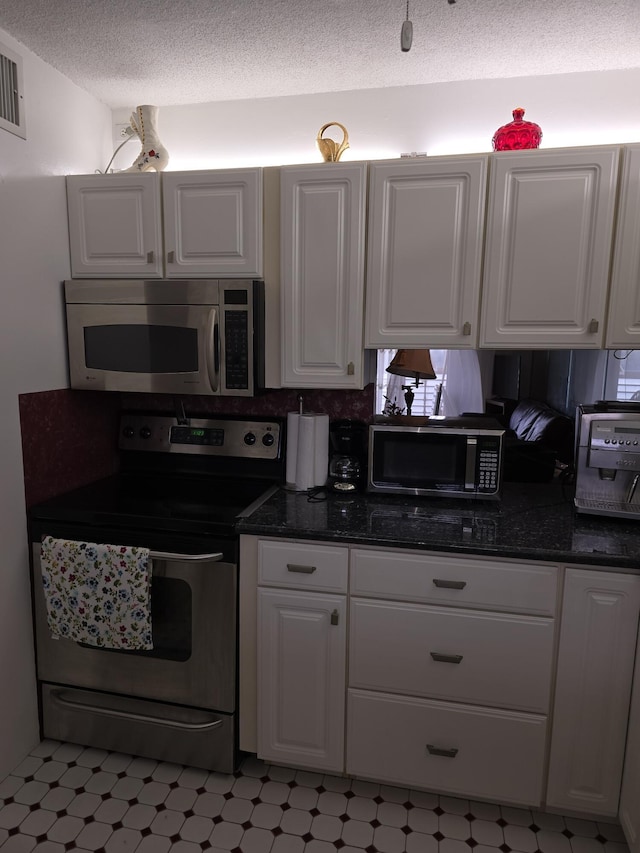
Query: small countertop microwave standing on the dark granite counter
[(443, 457)]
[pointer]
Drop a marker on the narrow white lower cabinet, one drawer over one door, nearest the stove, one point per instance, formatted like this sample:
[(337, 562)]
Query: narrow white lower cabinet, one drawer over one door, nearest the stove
[(301, 656)]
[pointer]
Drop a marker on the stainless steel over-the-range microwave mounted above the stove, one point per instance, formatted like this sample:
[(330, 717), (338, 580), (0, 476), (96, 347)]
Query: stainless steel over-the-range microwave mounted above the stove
[(169, 337)]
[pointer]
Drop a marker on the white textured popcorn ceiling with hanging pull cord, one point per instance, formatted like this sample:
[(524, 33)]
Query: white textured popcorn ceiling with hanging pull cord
[(169, 52)]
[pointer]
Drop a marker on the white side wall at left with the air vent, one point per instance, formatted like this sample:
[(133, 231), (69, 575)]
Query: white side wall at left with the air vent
[(67, 131)]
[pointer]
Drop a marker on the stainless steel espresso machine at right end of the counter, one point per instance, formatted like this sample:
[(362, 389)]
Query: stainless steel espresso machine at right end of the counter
[(608, 459)]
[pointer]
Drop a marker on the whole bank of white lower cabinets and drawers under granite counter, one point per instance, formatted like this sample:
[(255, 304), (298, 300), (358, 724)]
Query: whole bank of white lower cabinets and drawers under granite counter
[(447, 680)]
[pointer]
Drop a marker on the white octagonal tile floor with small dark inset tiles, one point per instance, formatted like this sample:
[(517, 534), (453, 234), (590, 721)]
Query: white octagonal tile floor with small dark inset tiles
[(65, 797)]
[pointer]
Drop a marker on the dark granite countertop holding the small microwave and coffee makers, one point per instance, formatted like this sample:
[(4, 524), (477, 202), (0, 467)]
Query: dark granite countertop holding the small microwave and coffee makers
[(532, 521)]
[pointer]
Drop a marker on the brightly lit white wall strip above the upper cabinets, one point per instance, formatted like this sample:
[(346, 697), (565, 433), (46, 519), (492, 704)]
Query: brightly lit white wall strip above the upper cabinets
[(443, 118)]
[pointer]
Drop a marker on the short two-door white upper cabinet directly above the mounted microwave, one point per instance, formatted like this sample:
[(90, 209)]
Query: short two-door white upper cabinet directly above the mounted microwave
[(213, 224)]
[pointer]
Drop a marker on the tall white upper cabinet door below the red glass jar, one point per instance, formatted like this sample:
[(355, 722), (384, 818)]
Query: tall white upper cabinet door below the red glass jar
[(549, 232)]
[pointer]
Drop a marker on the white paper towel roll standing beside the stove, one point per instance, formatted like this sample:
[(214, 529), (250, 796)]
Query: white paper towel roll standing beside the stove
[(307, 455)]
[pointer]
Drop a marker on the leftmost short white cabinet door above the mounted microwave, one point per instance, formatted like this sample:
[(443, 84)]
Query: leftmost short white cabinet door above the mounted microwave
[(114, 225)]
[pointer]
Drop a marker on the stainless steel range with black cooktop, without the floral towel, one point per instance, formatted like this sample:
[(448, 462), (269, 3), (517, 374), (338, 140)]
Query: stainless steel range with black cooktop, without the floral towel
[(183, 484)]
